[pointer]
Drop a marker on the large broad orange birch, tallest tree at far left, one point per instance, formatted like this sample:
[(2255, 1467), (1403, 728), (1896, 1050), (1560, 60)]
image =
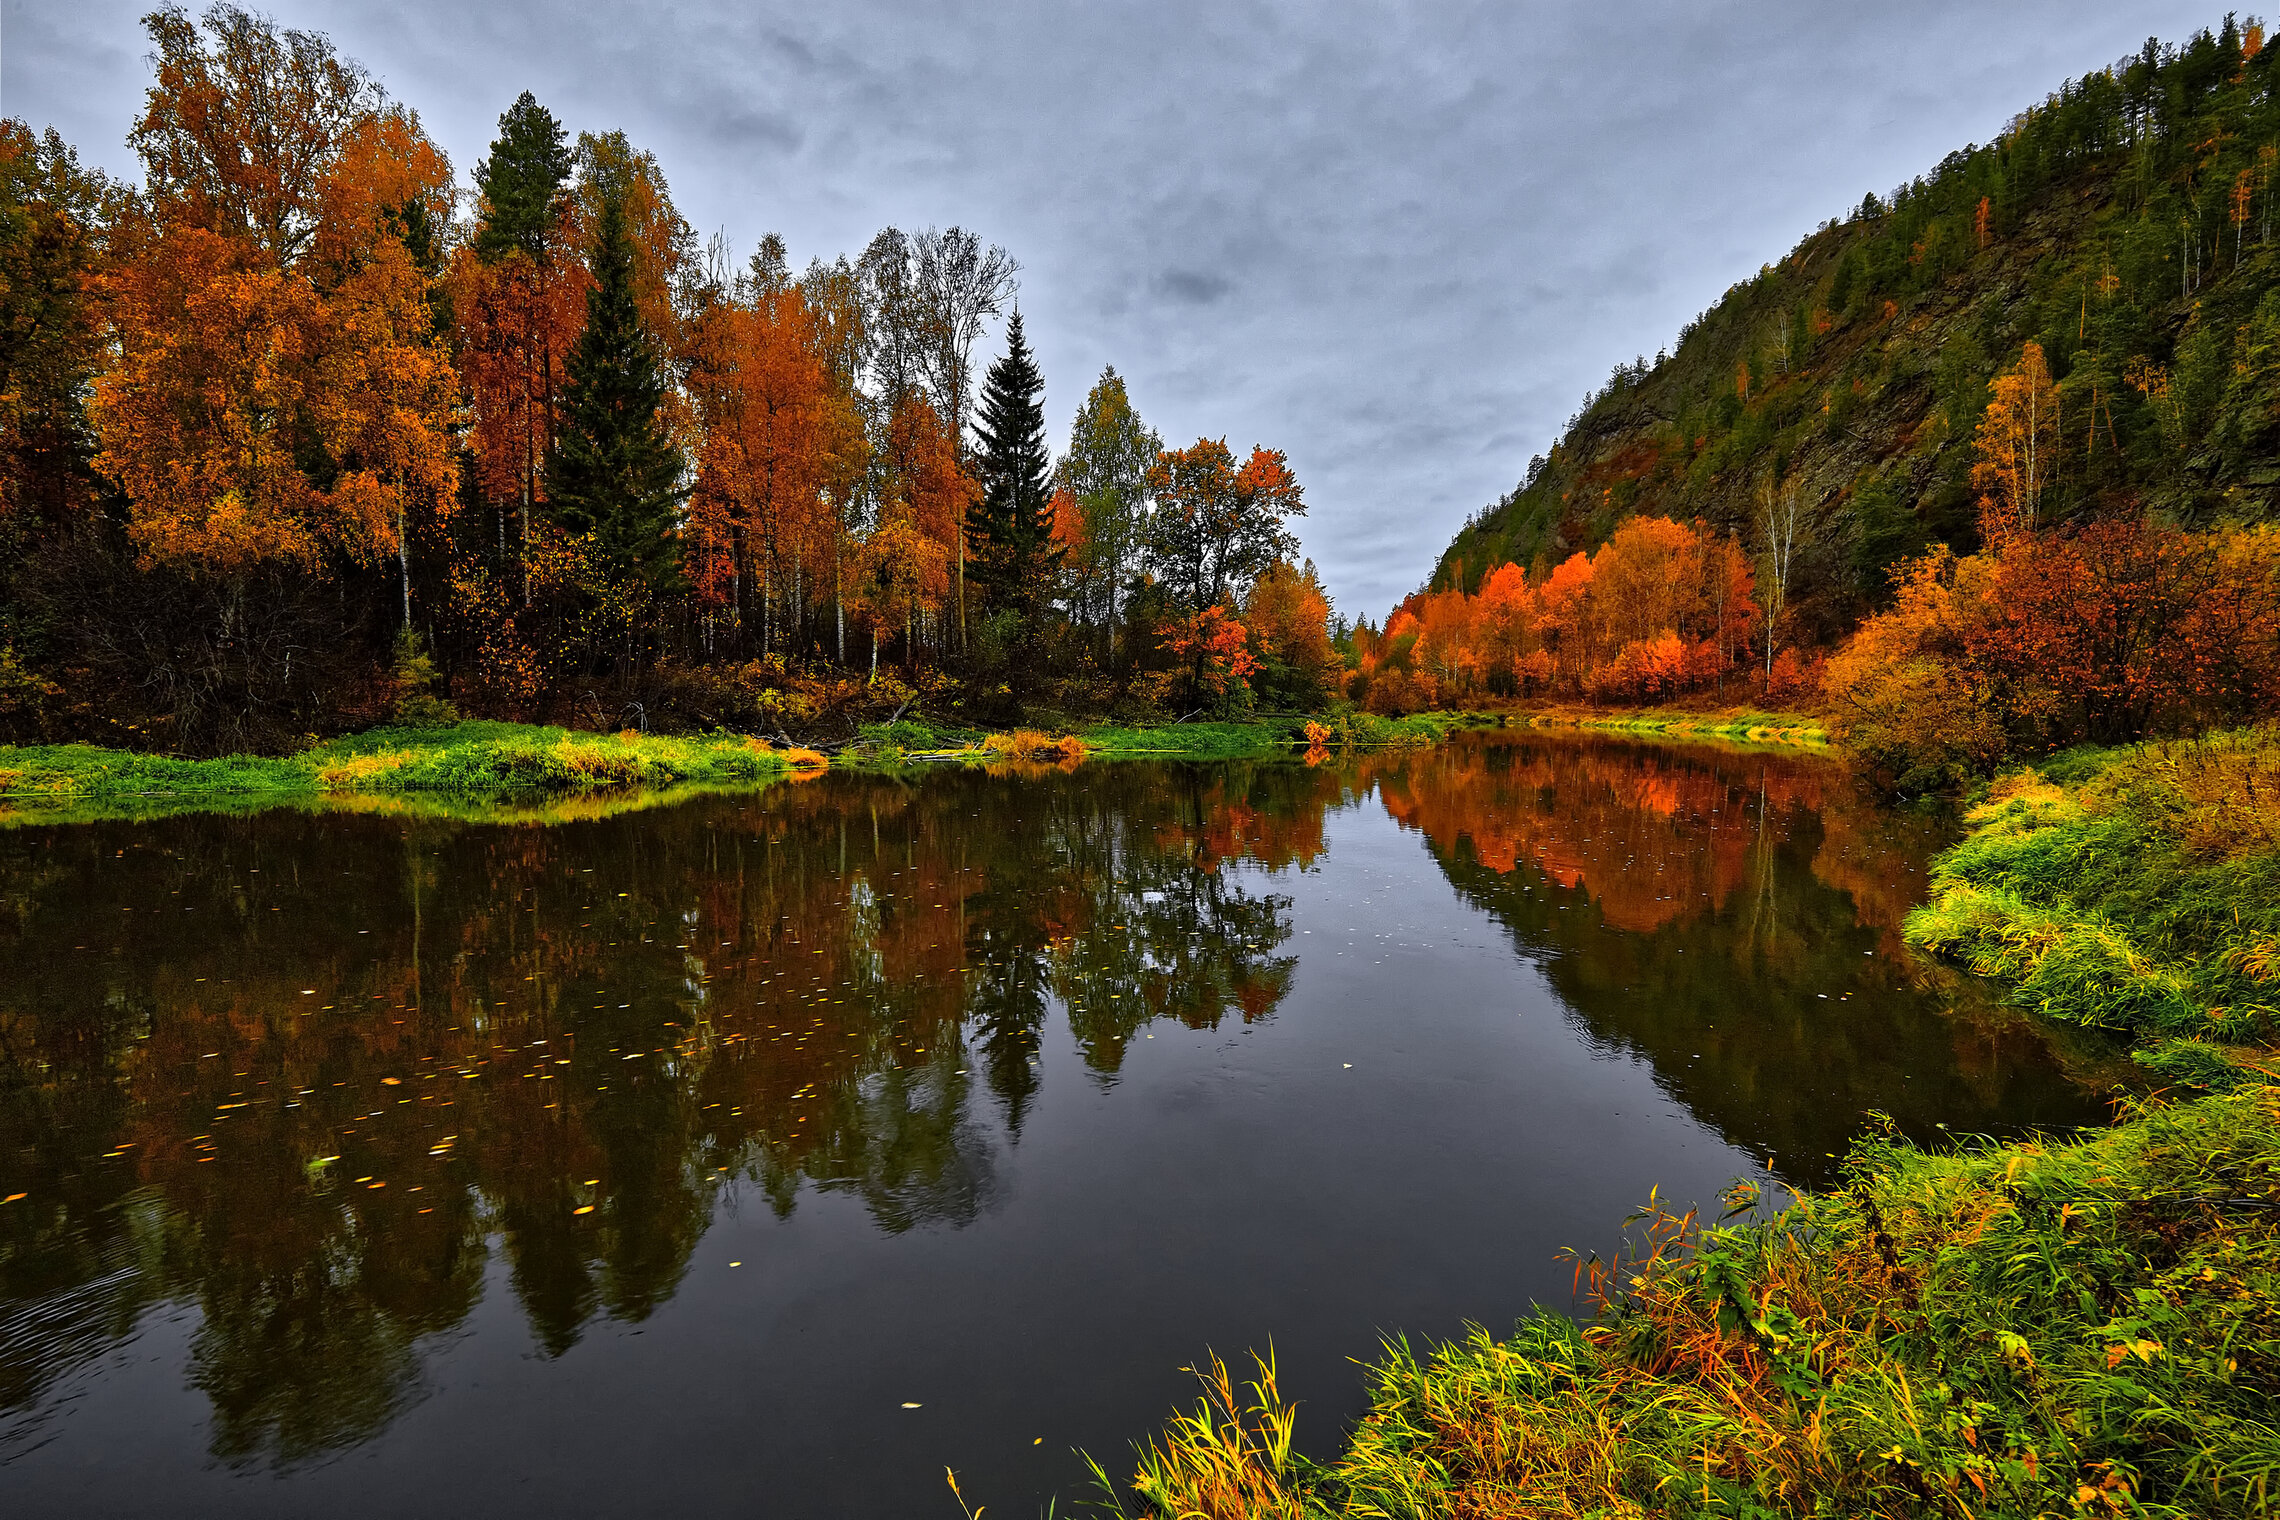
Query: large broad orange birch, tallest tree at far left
[(279, 391)]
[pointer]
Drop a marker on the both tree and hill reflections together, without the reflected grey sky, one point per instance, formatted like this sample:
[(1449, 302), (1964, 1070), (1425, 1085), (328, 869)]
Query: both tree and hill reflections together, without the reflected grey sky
[(316, 1074)]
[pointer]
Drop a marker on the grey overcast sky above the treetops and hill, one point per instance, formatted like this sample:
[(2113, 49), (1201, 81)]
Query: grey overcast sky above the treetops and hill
[(1396, 243)]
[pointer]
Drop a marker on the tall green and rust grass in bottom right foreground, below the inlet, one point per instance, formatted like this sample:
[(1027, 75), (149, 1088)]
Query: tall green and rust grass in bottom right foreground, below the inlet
[(2039, 1330)]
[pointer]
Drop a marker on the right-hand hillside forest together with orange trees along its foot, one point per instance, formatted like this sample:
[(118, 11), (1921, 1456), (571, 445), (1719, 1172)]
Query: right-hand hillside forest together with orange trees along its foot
[(1985, 468)]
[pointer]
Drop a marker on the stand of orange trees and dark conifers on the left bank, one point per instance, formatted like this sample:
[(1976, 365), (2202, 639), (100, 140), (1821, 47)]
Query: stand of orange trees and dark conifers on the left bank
[(334, 439)]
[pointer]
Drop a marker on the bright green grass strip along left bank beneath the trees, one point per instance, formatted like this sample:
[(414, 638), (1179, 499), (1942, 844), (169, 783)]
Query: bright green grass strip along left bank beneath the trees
[(478, 767)]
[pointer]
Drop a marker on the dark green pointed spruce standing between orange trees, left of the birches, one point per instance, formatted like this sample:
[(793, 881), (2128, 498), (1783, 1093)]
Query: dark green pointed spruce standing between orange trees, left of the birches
[(614, 473)]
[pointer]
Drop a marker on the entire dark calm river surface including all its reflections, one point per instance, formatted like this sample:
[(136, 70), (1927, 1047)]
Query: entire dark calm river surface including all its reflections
[(653, 1163)]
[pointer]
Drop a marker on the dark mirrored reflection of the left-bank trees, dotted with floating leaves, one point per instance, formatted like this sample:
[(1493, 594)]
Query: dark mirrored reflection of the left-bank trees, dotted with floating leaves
[(302, 1072)]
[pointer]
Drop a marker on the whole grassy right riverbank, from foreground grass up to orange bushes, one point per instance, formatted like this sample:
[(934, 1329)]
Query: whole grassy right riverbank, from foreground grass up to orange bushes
[(2005, 1330)]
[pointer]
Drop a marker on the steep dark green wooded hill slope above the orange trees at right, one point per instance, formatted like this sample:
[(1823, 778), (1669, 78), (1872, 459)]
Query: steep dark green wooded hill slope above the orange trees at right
[(2126, 227)]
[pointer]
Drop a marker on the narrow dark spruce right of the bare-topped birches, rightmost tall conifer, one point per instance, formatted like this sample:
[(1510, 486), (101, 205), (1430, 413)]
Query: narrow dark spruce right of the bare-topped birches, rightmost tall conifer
[(1011, 530)]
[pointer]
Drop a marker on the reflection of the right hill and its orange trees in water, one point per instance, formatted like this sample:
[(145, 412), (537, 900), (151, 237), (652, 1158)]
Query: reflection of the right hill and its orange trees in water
[(1734, 920)]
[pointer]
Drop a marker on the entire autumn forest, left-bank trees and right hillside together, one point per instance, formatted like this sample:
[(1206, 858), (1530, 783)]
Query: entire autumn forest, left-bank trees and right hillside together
[(336, 439)]
